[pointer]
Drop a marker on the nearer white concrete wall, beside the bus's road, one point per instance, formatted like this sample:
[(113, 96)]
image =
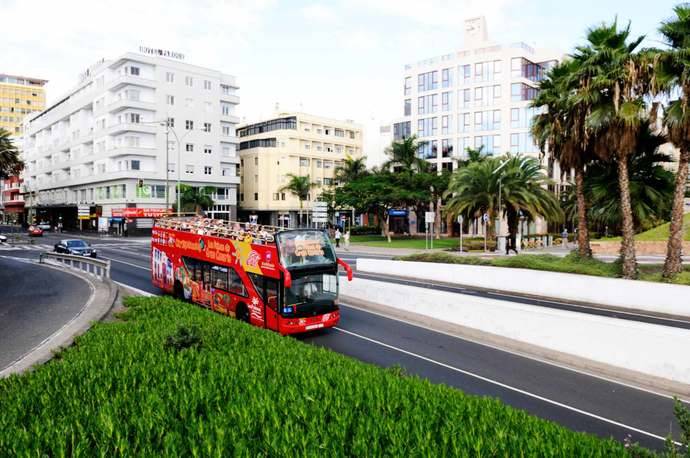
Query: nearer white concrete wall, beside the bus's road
[(649, 355)]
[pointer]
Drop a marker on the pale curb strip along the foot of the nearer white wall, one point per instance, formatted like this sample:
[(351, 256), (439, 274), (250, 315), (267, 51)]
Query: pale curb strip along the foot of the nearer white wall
[(594, 368)]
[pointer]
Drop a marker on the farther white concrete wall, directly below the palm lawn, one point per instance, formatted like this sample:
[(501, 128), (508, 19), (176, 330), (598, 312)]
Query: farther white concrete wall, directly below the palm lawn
[(673, 300)]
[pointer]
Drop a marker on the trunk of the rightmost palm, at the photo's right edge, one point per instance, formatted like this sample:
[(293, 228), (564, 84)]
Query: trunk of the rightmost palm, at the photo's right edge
[(674, 263)]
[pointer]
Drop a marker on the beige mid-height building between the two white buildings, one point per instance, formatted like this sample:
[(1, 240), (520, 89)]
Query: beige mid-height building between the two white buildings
[(291, 143)]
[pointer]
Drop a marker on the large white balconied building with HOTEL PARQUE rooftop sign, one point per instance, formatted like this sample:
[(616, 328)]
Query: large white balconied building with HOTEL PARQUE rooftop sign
[(103, 145)]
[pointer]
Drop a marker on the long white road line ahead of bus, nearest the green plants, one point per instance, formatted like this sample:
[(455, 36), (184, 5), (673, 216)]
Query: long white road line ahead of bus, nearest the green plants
[(503, 385)]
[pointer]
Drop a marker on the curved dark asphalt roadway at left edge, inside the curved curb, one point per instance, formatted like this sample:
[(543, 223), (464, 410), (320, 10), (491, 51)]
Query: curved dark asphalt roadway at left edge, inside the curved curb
[(34, 305)]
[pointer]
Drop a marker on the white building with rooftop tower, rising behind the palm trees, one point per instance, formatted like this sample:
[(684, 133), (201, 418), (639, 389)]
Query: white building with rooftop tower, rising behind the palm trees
[(477, 96)]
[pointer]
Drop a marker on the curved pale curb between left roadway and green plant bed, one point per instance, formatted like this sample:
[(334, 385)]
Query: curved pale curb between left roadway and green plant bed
[(103, 297)]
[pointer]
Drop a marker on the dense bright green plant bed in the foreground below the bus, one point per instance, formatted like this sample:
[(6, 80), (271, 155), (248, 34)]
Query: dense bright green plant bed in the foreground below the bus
[(176, 380)]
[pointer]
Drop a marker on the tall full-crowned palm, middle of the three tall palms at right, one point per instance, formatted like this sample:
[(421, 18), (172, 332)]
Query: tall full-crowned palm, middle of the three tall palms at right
[(619, 113)]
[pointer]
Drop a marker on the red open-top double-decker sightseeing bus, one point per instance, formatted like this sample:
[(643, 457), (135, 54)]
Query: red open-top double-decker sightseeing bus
[(284, 280)]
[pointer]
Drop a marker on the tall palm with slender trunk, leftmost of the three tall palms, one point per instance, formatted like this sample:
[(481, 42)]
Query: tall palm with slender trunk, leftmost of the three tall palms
[(560, 132)]
